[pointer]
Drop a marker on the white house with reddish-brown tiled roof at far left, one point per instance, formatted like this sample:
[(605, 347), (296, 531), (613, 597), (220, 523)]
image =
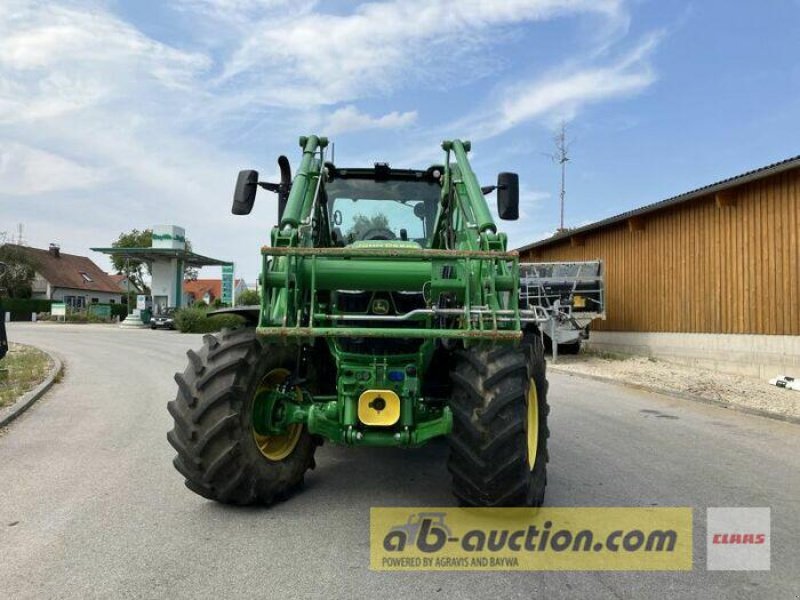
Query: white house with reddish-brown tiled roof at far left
[(74, 280)]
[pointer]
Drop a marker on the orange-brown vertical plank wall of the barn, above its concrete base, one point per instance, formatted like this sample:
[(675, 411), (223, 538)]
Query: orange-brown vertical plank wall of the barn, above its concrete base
[(717, 264)]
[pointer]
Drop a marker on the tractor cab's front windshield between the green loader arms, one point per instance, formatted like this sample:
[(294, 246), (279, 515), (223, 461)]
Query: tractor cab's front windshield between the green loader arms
[(365, 209)]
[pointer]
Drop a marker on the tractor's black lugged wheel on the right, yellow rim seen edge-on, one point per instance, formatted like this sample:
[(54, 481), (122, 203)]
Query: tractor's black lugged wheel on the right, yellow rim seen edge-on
[(498, 446)]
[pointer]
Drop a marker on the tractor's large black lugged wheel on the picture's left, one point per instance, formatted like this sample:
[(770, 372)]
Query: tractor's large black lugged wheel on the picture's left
[(218, 452)]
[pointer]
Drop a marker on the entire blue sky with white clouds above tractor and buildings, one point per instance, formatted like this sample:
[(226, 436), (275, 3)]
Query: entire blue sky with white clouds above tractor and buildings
[(118, 114)]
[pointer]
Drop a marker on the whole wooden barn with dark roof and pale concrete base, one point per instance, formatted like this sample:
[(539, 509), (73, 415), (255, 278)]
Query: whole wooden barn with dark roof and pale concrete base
[(710, 276)]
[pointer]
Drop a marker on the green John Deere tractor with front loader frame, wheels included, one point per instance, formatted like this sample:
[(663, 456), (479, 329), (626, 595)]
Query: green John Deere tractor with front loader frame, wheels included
[(389, 316)]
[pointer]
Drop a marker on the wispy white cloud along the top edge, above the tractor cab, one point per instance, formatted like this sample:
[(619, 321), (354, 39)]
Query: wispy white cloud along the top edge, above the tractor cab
[(380, 46)]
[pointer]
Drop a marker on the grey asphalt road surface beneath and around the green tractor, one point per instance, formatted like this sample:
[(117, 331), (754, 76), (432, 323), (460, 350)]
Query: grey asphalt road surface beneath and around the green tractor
[(90, 505)]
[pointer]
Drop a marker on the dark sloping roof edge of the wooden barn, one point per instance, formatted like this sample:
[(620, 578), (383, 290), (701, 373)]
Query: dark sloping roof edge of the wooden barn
[(724, 184)]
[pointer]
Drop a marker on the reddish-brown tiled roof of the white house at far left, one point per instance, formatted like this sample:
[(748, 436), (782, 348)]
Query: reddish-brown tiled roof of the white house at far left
[(70, 271)]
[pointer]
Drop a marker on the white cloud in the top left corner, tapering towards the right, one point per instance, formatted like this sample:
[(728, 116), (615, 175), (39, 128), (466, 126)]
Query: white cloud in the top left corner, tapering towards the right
[(56, 61)]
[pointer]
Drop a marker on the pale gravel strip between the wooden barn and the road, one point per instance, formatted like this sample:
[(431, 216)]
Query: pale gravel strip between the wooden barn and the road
[(735, 390)]
